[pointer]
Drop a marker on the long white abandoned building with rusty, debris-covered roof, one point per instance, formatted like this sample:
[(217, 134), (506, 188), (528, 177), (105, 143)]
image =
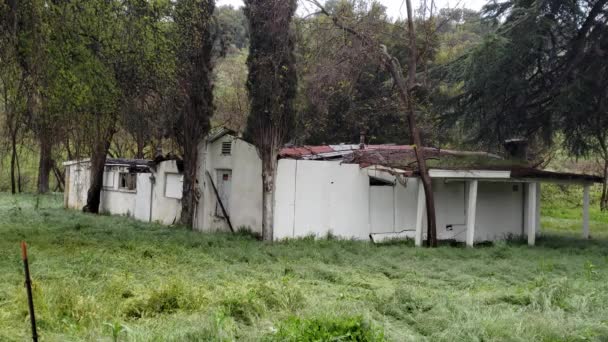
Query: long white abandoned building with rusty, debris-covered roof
[(351, 191)]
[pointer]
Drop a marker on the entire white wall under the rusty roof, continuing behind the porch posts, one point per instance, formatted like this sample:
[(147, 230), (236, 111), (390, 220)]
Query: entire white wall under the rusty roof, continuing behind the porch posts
[(314, 197)]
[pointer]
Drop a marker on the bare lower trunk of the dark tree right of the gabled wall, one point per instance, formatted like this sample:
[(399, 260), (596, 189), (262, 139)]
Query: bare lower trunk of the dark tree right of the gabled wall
[(269, 167)]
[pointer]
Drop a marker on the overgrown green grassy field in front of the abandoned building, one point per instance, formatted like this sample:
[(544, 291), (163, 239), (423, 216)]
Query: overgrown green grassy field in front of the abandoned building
[(112, 278)]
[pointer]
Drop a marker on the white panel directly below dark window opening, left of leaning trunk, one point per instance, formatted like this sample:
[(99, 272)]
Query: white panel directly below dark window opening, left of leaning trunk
[(382, 209)]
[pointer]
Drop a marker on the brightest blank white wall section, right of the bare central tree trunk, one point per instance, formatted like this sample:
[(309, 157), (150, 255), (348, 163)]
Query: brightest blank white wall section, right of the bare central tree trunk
[(317, 197)]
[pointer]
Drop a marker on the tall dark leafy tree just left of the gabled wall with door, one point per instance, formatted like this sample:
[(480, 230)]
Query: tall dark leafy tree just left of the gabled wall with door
[(193, 19)]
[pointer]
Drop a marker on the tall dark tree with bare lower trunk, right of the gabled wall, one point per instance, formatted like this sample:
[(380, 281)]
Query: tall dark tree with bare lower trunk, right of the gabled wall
[(272, 83)]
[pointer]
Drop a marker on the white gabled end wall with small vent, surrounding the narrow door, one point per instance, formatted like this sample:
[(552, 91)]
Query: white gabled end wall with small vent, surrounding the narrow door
[(245, 205)]
